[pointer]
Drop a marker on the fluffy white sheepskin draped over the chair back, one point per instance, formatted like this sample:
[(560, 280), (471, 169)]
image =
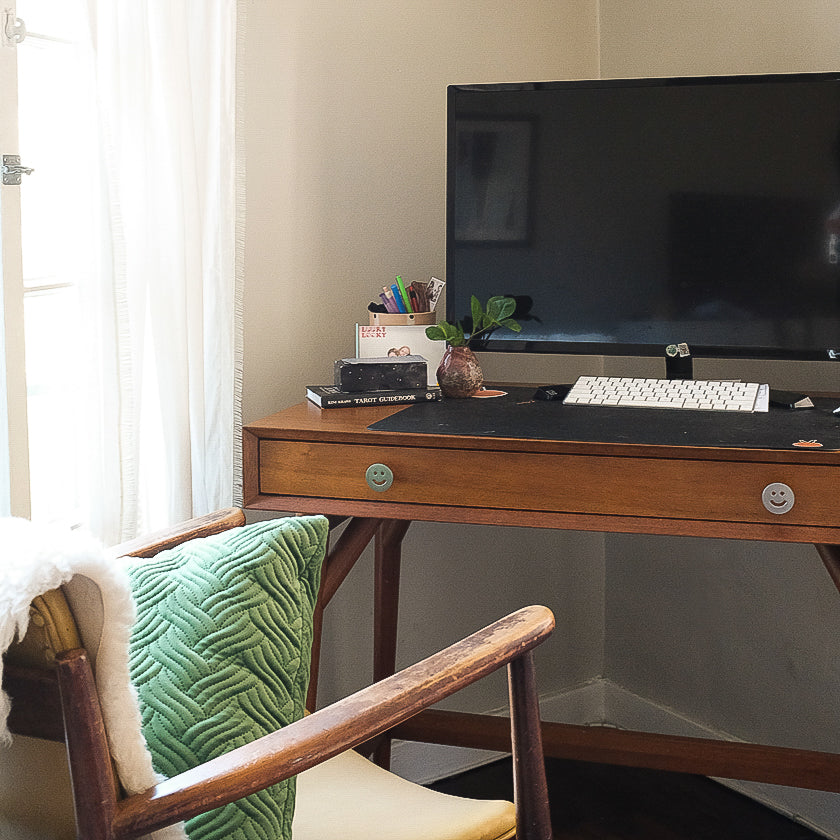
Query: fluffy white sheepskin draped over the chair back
[(36, 559)]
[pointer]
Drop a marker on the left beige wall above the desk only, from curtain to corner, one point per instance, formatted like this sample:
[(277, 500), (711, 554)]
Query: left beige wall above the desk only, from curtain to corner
[(344, 133)]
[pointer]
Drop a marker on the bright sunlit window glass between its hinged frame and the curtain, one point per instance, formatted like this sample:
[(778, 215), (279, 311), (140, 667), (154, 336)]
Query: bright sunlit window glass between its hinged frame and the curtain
[(57, 138)]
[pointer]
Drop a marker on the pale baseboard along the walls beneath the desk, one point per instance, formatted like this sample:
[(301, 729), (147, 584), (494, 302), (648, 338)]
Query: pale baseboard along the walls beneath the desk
[(601, 702)]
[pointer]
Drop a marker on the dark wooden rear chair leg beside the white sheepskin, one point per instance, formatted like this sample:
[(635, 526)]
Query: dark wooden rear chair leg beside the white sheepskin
[(91, 772)]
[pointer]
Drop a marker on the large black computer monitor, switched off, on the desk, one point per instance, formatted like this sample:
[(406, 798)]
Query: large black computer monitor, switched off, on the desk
[(627, 215)]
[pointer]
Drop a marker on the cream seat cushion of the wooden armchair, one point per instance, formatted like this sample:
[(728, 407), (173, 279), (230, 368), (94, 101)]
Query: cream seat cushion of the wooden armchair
[(350, 798)]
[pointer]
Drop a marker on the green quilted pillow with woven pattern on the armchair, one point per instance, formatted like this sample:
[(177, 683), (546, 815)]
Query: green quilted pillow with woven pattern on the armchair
[(220, 655)]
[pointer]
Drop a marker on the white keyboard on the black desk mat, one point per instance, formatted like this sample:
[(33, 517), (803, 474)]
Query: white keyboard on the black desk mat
[(699, 395)]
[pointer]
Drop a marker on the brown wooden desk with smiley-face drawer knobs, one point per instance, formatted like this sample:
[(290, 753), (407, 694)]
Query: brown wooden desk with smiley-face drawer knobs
[(309, 460)]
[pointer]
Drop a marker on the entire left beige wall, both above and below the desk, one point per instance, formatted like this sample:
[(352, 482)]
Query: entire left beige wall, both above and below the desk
[(344, 110)]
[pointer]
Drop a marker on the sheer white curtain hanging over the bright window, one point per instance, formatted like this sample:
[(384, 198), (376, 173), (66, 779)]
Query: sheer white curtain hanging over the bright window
[(165, 337)]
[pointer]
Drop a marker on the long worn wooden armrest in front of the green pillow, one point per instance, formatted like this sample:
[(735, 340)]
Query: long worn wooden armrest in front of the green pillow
[(336, 728)]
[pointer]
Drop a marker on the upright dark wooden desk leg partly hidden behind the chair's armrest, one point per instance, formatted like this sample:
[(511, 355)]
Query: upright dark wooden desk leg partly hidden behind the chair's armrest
[(387, 558)]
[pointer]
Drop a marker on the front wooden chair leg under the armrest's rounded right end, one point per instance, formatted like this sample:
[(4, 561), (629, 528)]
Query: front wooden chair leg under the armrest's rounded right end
[(530, 790)]
